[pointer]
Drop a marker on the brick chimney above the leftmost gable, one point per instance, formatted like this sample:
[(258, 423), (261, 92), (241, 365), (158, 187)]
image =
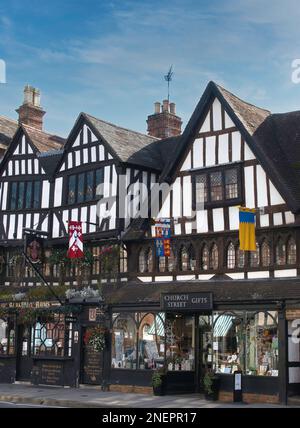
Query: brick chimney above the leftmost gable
[(31, 112)]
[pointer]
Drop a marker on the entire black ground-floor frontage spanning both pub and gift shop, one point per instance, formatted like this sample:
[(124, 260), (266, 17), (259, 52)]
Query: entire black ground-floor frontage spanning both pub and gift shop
[(201, 328)]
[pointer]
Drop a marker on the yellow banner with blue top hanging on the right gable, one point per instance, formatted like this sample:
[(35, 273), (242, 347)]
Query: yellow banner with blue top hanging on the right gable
[(247, 229)]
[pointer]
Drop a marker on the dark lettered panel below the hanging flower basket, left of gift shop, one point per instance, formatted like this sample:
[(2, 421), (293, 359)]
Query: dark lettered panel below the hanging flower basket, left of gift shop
[(92, 364)]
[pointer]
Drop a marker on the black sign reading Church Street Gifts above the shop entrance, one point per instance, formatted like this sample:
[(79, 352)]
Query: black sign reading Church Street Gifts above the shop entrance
[(187, 301)]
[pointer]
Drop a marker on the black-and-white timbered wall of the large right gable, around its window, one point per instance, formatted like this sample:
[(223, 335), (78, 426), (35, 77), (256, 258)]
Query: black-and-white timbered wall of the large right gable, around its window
[(218, 144)]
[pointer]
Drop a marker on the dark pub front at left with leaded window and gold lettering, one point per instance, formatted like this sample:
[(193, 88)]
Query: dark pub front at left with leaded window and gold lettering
[(46, 344)]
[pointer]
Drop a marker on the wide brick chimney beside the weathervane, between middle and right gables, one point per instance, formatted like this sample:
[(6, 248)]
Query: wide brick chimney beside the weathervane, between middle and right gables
[(164, 123)]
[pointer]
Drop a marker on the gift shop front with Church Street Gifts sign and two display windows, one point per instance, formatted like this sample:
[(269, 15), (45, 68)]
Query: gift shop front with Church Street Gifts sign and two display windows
[(189, 334)]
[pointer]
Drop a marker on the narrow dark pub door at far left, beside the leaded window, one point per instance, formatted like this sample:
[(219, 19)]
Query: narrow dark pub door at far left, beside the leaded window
[(24, 360)]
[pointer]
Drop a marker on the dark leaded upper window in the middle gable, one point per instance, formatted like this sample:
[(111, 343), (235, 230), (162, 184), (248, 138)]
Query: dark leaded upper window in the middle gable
[(82, 187)]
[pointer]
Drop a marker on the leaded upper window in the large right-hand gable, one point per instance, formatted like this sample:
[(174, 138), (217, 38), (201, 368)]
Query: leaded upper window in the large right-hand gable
[(218, 187)]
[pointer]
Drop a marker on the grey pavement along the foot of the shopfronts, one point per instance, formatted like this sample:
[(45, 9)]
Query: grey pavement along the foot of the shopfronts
[(93, 397)]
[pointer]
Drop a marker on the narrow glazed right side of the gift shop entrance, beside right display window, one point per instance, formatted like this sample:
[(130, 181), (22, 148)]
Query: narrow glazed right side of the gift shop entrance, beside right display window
[(205, 356)]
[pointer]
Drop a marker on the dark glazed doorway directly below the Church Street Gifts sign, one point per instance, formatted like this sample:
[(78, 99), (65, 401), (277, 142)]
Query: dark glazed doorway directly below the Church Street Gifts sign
[(180, 346)]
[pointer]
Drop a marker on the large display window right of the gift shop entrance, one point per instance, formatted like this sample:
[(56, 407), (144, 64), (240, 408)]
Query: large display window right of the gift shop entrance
[(246, 341)]
